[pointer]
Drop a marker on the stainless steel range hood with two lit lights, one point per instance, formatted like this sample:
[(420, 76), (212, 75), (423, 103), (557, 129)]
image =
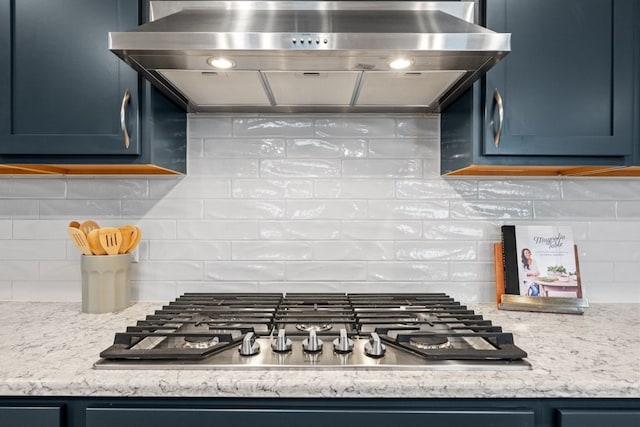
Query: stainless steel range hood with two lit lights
[(311, 56)]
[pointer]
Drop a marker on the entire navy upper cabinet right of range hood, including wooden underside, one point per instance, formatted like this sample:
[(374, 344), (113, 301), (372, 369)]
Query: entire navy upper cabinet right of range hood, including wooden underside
[(562, 102)]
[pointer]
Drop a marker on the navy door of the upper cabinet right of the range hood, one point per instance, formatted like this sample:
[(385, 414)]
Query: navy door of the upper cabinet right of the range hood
[(566, 86)]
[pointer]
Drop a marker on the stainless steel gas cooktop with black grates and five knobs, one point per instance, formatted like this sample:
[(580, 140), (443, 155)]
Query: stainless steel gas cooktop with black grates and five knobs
[(313, 331)]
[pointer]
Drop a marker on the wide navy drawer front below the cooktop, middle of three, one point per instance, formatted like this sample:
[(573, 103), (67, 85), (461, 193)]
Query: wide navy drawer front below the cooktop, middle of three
[(144, 417)]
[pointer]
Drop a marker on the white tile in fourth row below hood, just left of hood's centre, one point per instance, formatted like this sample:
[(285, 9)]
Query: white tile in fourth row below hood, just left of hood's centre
[(272, 188)]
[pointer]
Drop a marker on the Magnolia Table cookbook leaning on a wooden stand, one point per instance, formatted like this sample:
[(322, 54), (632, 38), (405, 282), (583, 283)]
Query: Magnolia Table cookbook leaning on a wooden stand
[(540, 261)]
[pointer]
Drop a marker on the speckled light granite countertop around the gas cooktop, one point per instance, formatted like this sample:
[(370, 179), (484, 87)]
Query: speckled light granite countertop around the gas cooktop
[(48, 349)]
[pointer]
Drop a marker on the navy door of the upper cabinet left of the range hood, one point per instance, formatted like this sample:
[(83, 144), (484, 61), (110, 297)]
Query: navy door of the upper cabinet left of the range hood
[(61, 89)]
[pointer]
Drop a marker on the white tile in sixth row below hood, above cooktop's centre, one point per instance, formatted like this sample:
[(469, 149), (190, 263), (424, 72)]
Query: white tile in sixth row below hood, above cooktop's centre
[(295, 230)]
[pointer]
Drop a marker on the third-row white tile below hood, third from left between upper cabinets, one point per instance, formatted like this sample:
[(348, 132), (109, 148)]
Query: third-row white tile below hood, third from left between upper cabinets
[(382, 168)]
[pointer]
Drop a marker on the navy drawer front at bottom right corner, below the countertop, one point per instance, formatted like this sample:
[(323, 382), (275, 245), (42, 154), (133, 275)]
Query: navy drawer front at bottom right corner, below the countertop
[(598, 418)]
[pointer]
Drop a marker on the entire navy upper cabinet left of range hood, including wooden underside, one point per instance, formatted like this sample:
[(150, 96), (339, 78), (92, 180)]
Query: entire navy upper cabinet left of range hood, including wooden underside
[(65, 98)]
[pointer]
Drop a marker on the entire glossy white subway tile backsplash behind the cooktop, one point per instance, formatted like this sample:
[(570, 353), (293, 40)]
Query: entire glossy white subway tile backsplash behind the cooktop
[(319, 203)]
